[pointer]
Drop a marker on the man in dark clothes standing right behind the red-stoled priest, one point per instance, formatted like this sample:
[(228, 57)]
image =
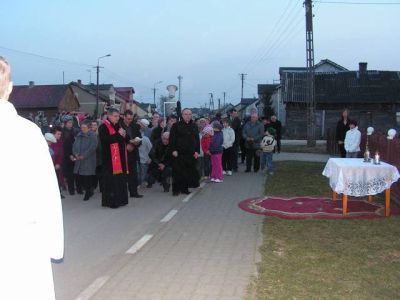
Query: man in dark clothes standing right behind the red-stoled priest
[(132, 132)]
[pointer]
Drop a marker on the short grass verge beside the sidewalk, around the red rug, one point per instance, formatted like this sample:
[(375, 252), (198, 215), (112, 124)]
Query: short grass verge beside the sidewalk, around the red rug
[(324, 259)]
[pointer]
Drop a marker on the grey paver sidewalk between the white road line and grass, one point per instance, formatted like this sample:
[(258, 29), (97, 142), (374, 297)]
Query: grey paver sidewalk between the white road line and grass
[(206, 251)]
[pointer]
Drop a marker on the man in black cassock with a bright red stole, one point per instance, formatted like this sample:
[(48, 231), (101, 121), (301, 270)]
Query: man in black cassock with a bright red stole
[(115, 163)]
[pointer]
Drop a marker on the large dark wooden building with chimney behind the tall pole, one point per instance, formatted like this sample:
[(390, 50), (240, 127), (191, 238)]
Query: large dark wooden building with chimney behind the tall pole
[(373, 97)]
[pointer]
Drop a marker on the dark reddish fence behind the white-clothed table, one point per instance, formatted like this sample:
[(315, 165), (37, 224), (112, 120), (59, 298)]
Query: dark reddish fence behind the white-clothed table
[(389, 151)]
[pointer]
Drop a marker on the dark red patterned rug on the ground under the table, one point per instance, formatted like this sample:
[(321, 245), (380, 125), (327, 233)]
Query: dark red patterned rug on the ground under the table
[(314, 208)]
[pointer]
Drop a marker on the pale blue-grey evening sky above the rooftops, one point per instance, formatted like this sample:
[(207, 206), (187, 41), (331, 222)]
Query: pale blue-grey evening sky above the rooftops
[(207, 42)]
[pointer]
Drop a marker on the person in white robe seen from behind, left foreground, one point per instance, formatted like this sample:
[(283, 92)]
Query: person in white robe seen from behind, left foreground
[(31, 223)]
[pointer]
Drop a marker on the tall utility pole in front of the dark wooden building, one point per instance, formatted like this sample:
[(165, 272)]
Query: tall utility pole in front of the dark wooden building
[(311, 142)]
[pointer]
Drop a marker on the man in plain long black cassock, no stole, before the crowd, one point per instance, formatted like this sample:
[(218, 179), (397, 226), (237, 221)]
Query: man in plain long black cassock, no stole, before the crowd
[(184, 144)]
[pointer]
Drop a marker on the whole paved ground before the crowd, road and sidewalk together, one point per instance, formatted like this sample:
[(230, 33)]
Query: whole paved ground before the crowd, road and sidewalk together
[(205, 248)]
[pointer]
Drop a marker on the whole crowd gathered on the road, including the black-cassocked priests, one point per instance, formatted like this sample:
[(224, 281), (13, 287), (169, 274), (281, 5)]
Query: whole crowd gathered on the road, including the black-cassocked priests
[(123, 153)]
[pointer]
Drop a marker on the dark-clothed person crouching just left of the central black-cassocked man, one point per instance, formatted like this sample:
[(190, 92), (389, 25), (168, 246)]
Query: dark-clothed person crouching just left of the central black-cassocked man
[(160, 167)]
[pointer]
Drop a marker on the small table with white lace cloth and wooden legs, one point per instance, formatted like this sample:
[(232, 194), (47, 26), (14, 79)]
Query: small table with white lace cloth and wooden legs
[(354, 177)]
